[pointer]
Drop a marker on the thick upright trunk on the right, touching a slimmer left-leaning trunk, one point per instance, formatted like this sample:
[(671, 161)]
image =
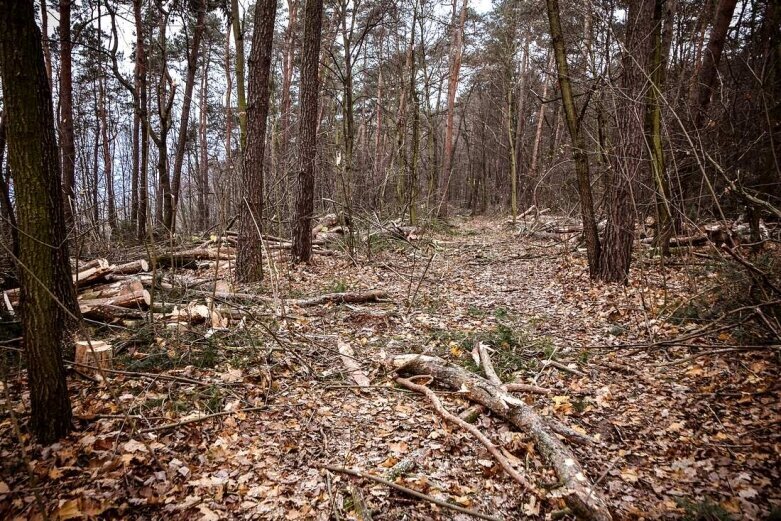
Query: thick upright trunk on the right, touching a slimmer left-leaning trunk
[(628, 160)]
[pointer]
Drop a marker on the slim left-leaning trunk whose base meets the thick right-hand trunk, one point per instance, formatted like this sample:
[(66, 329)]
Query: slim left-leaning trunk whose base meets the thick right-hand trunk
[(579, 154)]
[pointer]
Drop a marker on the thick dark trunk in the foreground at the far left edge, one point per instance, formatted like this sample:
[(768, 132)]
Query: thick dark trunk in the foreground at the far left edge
[(44, 271)]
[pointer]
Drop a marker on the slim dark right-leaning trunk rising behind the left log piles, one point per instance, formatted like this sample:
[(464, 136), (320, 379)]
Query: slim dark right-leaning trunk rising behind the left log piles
[(192, 66)]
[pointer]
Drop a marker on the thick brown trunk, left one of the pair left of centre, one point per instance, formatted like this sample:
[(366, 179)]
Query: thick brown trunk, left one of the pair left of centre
[(249, 265)]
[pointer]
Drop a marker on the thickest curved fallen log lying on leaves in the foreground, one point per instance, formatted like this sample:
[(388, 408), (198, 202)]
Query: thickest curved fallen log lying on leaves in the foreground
[(579, 493)]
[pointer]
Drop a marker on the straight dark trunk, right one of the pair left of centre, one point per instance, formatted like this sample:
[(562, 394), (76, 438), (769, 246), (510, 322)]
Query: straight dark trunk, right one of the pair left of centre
[(310, 90)]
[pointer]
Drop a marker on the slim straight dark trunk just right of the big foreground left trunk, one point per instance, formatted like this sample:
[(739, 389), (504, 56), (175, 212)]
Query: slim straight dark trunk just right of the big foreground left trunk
[(67, 146)]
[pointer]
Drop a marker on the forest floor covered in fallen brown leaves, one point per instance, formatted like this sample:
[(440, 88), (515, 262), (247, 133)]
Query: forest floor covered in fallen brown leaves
[(682, 432)]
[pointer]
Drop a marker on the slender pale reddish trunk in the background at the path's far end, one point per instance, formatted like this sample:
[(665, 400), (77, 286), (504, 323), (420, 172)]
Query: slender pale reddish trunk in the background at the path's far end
[(452, 87)]
